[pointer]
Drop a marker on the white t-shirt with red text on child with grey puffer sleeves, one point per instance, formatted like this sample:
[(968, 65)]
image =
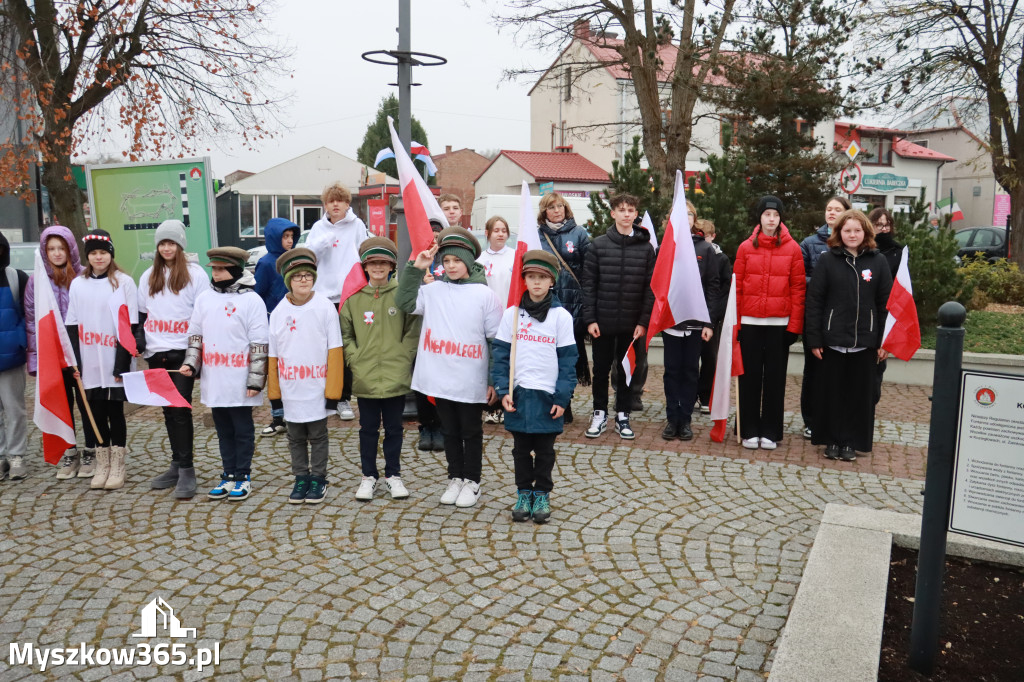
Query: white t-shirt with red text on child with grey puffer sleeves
[(229, 323)]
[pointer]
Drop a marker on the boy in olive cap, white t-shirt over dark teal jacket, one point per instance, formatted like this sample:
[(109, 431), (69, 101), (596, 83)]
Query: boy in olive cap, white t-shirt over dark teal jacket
[(539, 335)]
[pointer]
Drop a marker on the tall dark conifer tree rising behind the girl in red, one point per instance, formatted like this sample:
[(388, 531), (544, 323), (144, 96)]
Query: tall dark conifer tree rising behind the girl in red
[(786, 82)]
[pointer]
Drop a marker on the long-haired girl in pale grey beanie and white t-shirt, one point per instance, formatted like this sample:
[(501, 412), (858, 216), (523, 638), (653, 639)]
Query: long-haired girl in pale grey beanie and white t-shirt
[(166, 296)]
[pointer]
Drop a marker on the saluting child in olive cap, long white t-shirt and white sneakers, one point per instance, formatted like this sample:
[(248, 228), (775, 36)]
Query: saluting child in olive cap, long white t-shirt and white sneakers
[(460, 314)]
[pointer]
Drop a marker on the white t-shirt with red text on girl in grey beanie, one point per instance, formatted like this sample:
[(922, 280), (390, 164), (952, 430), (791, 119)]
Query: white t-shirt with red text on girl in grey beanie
[(168, 314)]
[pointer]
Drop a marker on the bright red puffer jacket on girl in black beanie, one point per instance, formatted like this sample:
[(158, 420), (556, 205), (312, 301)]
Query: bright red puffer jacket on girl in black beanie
[(771, 281)]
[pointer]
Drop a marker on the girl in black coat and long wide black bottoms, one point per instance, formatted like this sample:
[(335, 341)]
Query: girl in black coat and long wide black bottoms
[(846, 312)]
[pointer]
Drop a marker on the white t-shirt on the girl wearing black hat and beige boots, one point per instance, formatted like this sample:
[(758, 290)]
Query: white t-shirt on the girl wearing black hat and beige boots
[(90, 309)]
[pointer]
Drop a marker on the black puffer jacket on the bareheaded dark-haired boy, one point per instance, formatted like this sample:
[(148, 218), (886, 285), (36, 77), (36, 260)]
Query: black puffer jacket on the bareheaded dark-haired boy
[(617, 282)]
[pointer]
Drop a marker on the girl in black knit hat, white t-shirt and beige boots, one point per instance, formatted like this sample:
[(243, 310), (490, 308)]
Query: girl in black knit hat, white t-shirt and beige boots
[(96, 302)]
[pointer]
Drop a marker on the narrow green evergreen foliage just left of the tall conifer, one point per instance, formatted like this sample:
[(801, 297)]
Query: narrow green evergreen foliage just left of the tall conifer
[(721, 195)]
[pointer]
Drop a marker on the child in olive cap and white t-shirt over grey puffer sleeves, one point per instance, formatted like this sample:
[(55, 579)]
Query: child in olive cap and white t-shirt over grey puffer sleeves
[(228, 343)]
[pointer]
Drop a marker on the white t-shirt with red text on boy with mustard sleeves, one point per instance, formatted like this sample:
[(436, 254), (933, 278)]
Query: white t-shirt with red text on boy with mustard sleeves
[(301, 338)]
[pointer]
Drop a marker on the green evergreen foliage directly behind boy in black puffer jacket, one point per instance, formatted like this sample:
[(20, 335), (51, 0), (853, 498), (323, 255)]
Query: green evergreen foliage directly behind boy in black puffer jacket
[(629, 178)]
